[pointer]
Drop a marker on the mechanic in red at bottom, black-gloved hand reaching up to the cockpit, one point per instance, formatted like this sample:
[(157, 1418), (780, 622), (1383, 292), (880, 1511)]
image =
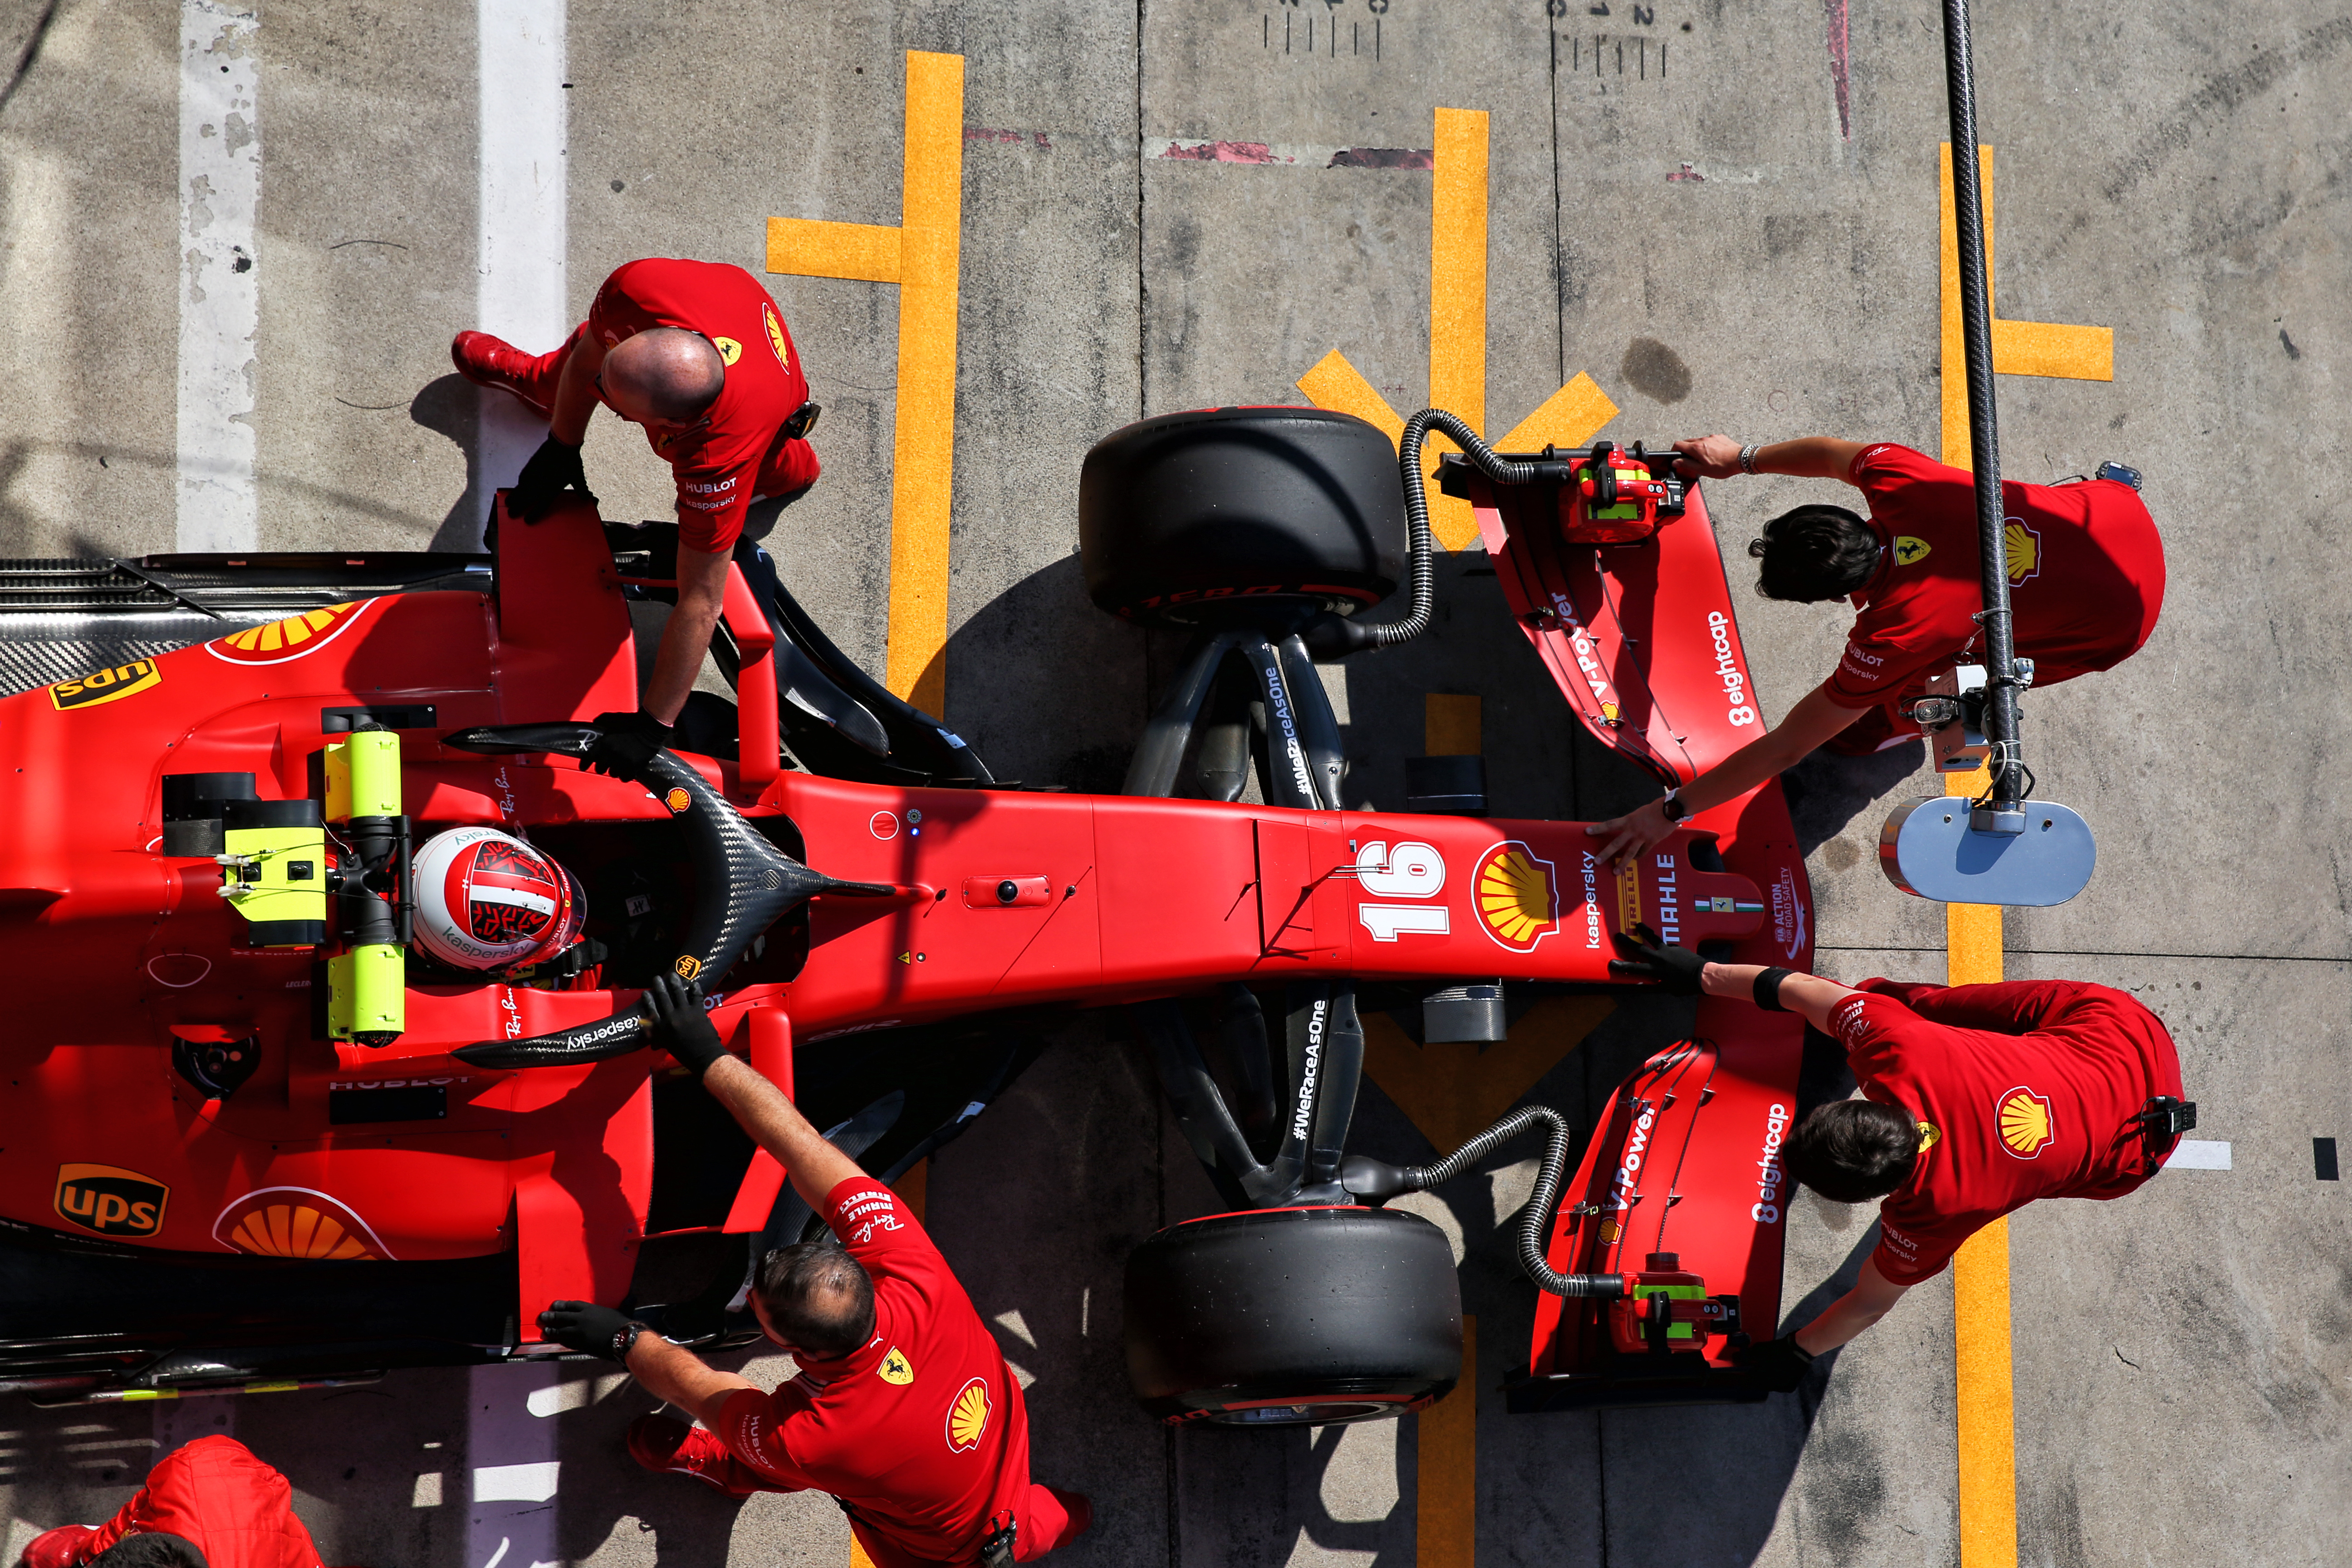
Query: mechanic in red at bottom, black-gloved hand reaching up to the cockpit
[(904, 1409)]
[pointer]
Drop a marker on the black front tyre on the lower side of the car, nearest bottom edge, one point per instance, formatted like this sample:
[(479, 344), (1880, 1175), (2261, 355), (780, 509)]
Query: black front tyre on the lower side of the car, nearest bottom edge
[(1292, 1318)]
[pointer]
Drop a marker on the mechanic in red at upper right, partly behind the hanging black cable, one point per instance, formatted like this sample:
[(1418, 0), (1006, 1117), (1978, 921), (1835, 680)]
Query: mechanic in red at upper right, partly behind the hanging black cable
[(2085, 579)]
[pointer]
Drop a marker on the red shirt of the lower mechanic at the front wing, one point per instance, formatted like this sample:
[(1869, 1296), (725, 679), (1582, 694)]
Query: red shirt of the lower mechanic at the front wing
[(2031, 1090)]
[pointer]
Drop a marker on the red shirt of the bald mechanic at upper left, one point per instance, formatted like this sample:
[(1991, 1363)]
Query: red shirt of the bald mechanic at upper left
[(740, 450)]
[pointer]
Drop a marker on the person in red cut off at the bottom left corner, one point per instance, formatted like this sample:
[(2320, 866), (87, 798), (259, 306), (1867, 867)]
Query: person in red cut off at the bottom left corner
[(213, 1496)]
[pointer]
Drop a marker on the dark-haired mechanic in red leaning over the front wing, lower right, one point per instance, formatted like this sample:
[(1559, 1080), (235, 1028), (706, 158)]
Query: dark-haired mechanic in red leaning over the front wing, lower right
[(1977, 1101)]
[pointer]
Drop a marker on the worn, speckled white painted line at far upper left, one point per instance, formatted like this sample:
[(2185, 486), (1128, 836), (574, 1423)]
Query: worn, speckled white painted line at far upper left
[(220, 302)]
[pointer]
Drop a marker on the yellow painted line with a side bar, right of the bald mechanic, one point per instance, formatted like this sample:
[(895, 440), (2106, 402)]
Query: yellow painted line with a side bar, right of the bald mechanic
[(923, 255)]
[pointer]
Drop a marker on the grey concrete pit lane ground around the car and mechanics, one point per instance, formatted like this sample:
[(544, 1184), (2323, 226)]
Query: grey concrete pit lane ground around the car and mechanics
[(1728, 227)]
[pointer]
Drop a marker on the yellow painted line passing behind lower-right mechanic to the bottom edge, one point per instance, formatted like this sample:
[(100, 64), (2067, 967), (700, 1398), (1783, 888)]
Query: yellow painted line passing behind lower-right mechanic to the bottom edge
[(1984, 1379)]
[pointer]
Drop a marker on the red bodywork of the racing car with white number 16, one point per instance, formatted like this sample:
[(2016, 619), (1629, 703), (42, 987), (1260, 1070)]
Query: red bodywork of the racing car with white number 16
[(116, 949)]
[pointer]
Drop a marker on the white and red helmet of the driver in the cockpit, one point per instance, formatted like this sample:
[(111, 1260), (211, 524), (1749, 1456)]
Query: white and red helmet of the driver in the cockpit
[(490, 902)]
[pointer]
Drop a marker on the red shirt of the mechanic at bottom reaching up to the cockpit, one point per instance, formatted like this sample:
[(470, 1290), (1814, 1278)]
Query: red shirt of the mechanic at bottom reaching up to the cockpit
[(921, 1430)]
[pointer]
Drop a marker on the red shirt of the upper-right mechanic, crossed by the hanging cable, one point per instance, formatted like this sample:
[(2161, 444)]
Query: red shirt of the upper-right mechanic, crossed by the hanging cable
[(2085, 577)]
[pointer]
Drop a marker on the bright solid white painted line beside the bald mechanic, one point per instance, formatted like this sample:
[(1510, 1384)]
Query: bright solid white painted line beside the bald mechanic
[(521, 241)]
